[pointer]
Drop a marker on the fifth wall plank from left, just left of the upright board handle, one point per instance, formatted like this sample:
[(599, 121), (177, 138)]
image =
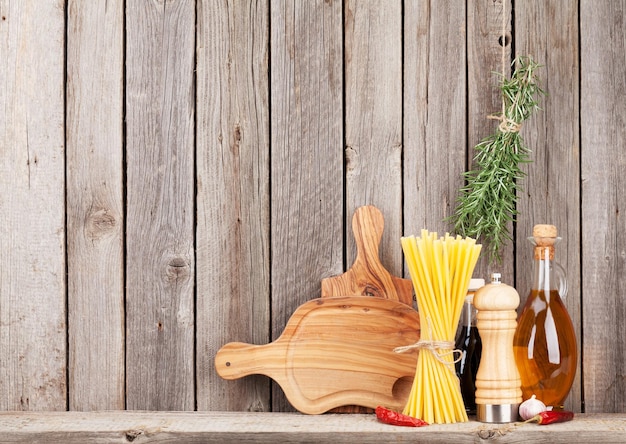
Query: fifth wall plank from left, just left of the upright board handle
[(307, 158)]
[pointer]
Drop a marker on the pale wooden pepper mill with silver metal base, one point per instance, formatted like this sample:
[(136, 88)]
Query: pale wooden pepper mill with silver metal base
[(498, 384)]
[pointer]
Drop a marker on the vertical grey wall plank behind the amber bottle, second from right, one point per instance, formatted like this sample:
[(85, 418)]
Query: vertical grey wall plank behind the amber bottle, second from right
[(549, 32)]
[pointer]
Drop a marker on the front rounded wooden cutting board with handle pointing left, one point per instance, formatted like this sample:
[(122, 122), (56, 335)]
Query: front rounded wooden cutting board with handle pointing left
[(333, 352)]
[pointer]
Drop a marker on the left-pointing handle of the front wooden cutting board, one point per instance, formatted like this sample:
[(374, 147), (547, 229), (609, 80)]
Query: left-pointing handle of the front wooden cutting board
[(237, 359)]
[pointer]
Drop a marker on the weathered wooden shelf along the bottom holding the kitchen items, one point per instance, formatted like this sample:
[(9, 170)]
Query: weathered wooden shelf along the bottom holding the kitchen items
[(234, 427)]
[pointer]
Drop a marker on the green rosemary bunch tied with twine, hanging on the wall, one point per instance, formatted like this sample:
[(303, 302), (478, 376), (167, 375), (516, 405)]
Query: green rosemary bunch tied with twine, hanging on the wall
[(488, 201)]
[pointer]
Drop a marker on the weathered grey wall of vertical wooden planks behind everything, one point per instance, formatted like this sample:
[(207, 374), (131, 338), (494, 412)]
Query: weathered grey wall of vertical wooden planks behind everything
[(176, 175)]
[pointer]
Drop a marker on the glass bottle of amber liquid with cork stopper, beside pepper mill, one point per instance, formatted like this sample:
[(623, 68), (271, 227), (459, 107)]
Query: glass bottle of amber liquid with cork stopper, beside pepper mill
[(545, 341)]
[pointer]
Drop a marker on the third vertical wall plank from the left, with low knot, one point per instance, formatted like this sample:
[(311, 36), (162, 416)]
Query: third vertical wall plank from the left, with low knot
[(160, 205)]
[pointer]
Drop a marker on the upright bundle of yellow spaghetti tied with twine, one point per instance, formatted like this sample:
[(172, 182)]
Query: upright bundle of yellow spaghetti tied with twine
[(441, 269)]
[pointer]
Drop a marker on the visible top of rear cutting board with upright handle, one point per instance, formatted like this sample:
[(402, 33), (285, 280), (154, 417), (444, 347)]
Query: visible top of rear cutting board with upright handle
[(368, 276)]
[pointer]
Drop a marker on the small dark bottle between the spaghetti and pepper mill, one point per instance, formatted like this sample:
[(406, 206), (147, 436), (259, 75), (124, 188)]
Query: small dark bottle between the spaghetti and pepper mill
[(469, 344)]
